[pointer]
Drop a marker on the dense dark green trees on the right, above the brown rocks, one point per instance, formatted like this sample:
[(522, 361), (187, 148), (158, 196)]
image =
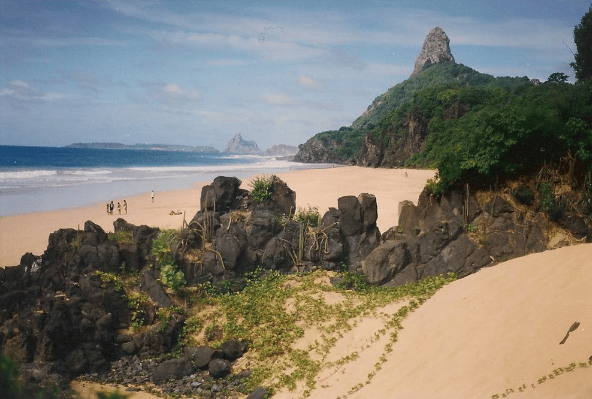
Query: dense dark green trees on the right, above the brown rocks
[(507, 132)]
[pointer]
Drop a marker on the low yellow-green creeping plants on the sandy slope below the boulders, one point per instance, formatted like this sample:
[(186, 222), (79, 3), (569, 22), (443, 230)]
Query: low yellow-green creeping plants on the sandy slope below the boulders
[(273, 310)]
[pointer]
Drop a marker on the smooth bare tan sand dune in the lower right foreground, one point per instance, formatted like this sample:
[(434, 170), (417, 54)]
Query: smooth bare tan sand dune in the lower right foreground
[(496, 332)]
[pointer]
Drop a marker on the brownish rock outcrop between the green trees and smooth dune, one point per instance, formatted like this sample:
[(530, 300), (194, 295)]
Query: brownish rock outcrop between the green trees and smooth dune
[(457, 234)]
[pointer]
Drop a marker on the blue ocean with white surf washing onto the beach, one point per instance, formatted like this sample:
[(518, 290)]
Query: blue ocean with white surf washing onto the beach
[(35, 179)]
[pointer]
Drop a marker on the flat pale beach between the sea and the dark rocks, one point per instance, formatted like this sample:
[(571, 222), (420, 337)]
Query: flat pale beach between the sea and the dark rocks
[(318, 188)]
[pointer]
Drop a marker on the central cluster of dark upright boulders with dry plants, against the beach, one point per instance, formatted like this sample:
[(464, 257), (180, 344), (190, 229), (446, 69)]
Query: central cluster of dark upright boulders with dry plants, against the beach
[(233, 240)]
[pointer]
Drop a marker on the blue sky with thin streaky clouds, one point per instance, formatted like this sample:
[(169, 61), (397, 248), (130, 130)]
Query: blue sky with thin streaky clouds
[(199, 72)]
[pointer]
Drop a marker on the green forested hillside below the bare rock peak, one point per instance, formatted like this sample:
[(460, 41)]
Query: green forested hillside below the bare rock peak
[(466, 124)]
